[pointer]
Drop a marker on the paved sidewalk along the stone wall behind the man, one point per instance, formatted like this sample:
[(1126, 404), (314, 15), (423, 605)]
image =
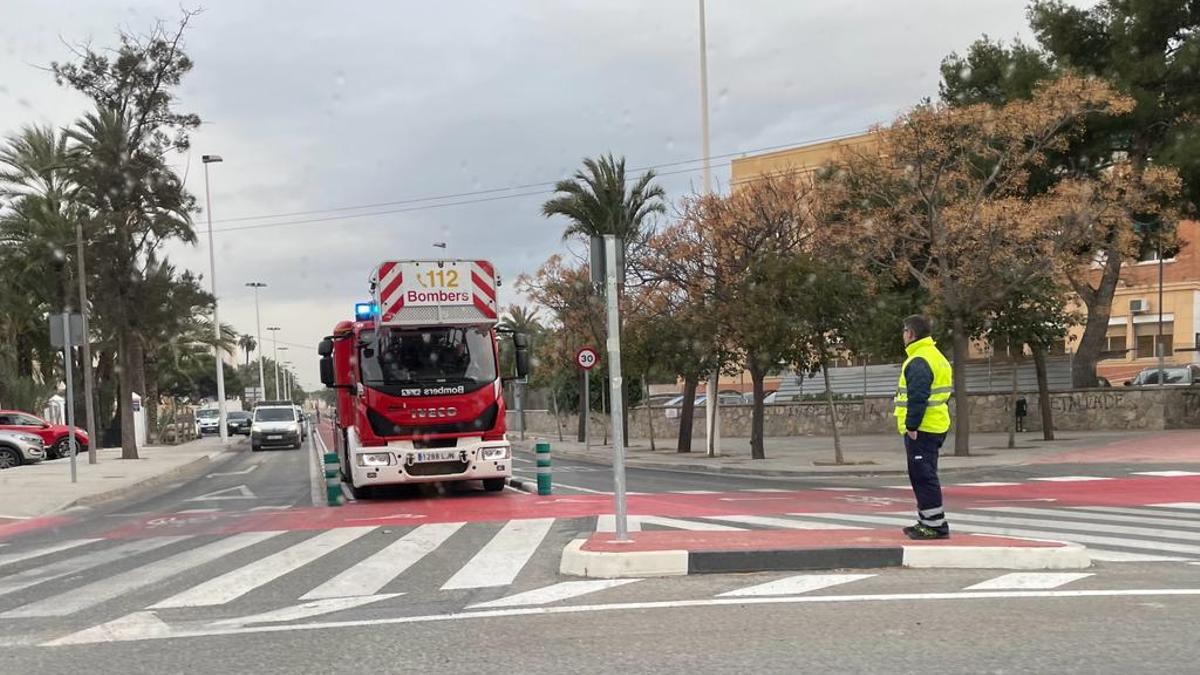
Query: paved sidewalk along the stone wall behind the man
[(869, 456)]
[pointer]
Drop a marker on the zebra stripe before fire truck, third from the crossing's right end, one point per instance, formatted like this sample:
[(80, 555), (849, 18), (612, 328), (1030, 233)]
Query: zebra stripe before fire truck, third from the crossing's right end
[(233, 586)]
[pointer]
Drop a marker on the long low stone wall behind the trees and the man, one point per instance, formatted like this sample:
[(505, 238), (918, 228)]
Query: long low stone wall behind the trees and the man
[(1088, 410)]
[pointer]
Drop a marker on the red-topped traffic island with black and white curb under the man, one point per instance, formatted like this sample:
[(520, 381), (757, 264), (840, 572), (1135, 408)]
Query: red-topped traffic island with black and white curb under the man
[(679, 553)]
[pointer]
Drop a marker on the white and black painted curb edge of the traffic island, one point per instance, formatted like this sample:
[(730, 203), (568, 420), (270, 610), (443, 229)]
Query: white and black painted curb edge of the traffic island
[(609, 565)]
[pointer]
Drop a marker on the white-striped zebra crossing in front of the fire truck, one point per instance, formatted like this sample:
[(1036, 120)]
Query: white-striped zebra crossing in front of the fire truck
[(338, 565)]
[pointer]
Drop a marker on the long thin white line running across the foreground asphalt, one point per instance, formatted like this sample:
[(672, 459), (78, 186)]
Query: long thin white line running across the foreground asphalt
[(146, 626)]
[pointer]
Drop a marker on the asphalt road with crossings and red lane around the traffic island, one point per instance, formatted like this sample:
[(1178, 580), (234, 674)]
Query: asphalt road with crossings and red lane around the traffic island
[(236, 571)]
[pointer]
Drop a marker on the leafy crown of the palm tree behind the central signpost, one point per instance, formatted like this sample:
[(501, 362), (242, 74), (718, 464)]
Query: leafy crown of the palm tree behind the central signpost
[(597, 202)]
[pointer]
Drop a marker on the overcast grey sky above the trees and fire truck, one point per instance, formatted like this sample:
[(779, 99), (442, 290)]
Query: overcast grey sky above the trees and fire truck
[(320, 106)]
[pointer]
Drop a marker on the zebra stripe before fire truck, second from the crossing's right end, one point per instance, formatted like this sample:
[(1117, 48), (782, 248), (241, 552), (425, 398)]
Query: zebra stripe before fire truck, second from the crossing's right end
[(370, 576)]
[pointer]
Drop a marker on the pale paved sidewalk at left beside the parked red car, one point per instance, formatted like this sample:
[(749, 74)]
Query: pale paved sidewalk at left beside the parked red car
[(43, 489)]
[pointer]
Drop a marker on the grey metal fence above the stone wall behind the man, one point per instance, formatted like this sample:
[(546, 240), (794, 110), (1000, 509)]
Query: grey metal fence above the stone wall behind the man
[(881, 380)]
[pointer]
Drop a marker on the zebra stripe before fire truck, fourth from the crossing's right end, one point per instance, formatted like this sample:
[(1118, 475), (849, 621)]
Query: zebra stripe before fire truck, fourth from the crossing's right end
[(104, 590)]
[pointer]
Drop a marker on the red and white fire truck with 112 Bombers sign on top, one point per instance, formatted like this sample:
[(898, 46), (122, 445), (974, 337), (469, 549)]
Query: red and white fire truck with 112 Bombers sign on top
[(418, 379)]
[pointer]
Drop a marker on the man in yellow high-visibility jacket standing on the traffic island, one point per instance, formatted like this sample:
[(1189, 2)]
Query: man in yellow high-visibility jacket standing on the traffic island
[(923, 417)]
